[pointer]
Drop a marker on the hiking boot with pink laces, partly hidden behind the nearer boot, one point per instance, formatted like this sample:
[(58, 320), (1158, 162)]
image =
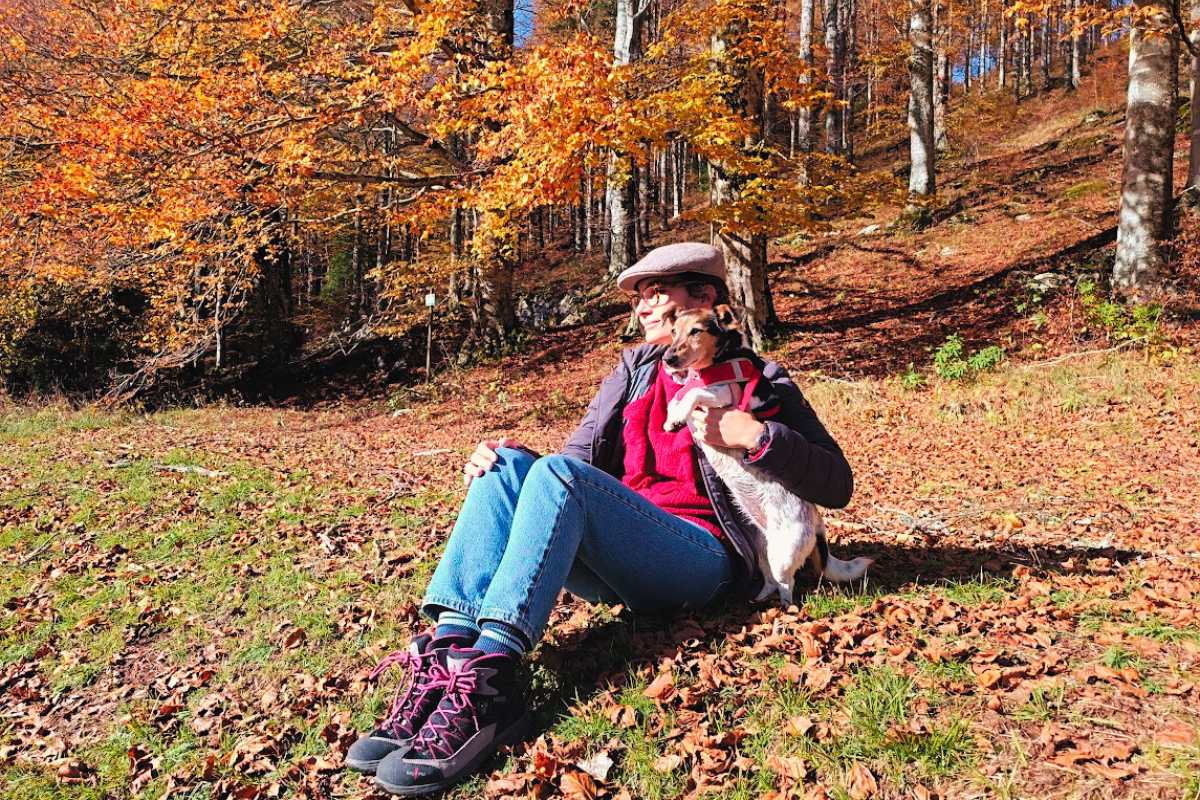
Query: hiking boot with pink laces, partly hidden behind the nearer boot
[(413, 702)]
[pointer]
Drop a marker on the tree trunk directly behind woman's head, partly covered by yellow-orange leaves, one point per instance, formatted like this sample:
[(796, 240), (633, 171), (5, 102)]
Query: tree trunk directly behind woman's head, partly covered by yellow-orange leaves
[(746, 255)]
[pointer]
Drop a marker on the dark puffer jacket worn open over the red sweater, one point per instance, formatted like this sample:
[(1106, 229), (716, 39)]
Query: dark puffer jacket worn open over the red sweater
[(801, 453)]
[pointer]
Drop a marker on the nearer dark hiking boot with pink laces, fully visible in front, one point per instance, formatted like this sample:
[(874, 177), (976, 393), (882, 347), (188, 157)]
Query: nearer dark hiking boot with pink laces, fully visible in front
[(483, 708)]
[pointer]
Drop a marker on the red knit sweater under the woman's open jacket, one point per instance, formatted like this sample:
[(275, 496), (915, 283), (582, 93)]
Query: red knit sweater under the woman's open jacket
[(662, 467)]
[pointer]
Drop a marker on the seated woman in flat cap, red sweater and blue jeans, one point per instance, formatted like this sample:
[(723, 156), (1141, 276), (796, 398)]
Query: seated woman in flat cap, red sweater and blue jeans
[(626, 514)]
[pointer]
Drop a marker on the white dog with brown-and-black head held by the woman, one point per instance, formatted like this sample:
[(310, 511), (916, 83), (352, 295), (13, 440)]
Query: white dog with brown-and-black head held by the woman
[(710, 348)]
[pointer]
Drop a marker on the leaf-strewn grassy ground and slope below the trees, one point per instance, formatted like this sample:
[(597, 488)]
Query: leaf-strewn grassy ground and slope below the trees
[(193, 599)]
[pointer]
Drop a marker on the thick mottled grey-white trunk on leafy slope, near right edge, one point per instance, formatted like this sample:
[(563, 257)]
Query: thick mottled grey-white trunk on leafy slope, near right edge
[(1149, 151)]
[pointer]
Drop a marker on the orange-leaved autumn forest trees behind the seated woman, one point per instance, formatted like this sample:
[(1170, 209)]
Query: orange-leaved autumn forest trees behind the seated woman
[(202, 195)]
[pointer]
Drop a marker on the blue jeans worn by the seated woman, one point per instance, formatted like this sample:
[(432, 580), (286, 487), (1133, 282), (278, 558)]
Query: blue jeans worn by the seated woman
[(531, 527)]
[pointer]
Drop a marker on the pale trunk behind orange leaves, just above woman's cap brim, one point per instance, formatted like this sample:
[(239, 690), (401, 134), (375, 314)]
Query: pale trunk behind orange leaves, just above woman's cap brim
[(620, 181)]
